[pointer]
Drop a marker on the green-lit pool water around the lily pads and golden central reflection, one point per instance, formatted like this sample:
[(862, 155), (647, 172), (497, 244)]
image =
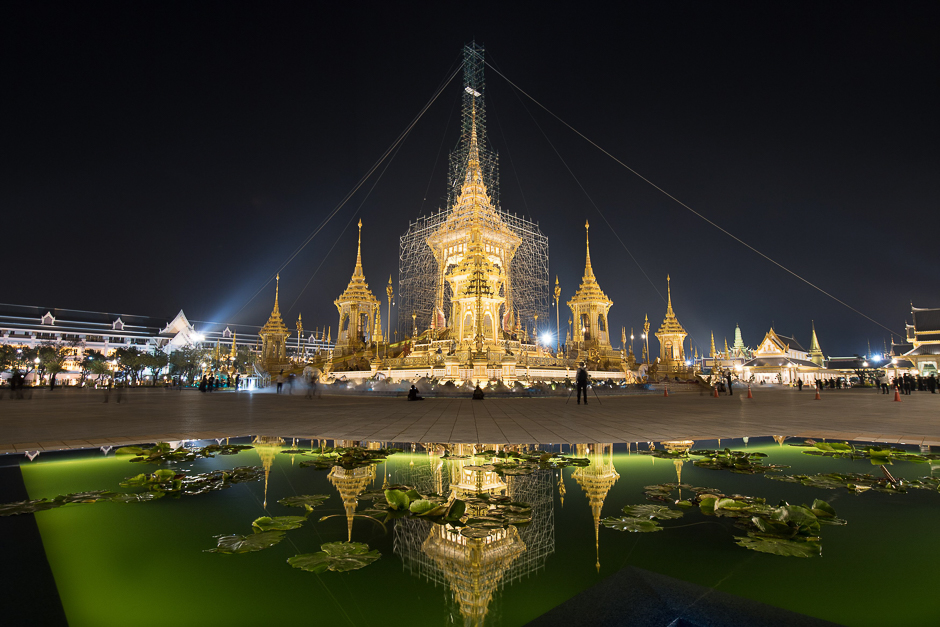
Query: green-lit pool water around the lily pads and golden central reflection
[(145, 563)]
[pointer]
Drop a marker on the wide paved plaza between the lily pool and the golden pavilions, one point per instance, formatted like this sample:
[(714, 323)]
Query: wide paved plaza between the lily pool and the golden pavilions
[(79, 418)]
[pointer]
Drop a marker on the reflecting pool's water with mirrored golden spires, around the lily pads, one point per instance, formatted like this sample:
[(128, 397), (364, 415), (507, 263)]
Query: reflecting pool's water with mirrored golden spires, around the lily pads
[(147, 563)]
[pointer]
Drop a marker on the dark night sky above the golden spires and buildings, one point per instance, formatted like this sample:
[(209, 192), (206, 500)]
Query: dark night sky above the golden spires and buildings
[(160, 156)]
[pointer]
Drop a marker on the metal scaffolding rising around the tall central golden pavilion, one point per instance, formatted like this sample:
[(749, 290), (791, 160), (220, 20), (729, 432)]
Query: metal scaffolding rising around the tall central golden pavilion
[(418, 273)]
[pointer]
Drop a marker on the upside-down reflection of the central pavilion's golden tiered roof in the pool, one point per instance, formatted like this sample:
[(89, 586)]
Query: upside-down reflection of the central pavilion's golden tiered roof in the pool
[(473, 567)]
